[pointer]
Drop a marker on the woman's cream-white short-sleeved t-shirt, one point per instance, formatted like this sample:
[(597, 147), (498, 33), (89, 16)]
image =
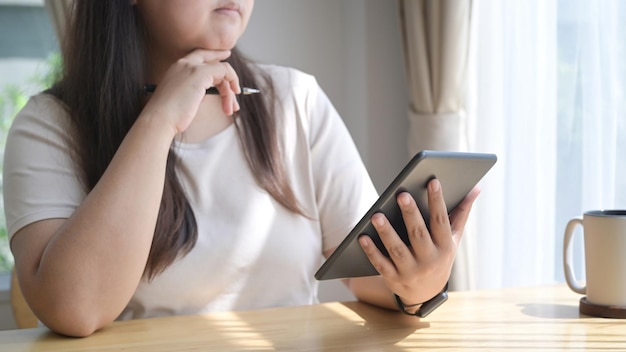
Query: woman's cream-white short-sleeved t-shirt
[(251, 252)]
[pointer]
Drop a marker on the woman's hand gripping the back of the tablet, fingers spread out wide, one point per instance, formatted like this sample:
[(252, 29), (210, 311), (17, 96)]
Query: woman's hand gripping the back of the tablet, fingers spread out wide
[(419, 272)]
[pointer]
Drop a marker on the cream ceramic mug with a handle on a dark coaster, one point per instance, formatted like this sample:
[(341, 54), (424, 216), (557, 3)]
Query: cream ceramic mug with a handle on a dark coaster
[(604, 233)]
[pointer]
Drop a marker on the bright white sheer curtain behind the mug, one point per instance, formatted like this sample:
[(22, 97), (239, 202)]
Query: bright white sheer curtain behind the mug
[(547, 95)]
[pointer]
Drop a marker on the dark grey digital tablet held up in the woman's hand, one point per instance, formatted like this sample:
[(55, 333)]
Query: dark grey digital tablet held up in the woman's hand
[(458, 173)]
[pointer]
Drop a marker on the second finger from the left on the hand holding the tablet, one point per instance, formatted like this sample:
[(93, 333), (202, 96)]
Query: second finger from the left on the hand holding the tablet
[(399, 253)]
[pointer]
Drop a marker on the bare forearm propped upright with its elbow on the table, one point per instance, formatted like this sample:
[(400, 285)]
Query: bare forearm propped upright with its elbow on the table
[(92, 264)]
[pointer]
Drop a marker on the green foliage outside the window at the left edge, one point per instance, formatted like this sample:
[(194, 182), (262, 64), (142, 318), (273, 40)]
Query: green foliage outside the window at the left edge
[(12, 100)]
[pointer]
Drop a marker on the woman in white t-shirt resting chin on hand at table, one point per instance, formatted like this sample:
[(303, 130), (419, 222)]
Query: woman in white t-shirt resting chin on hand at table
[(123, 203)]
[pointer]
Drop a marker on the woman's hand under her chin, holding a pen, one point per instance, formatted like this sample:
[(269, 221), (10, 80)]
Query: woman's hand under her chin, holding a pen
[(182, 88)]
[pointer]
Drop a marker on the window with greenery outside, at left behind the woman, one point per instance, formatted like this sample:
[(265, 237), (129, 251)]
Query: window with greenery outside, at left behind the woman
[(28, 51)]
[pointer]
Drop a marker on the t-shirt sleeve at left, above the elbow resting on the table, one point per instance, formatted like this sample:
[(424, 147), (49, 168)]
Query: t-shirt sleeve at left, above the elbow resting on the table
[(39, 177)]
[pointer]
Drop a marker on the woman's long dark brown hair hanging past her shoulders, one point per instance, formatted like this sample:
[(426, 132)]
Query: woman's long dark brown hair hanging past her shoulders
[(102, 86)]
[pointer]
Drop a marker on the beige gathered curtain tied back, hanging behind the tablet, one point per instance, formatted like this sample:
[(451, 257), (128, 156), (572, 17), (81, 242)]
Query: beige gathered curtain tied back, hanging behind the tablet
[(436, 37)]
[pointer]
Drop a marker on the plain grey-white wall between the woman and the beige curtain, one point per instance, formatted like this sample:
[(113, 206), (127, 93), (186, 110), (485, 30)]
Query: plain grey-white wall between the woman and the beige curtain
[(353, 47)]
